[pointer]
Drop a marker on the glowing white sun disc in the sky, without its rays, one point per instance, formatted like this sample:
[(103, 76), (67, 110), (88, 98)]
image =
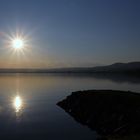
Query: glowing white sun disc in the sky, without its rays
[(17, 43)]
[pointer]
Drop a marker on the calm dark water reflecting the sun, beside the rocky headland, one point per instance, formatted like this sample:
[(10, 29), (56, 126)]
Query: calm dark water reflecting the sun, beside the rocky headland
[(28, 107)]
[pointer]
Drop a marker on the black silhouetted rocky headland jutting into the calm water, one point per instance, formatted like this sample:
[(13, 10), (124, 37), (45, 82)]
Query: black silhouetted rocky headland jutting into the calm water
[(110, 113)]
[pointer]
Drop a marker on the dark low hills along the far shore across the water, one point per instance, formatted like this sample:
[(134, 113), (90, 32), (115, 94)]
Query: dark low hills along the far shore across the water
[(132, 67)]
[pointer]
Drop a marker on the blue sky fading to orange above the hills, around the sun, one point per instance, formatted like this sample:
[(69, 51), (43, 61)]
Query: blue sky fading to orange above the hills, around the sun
[(69, 33)]
